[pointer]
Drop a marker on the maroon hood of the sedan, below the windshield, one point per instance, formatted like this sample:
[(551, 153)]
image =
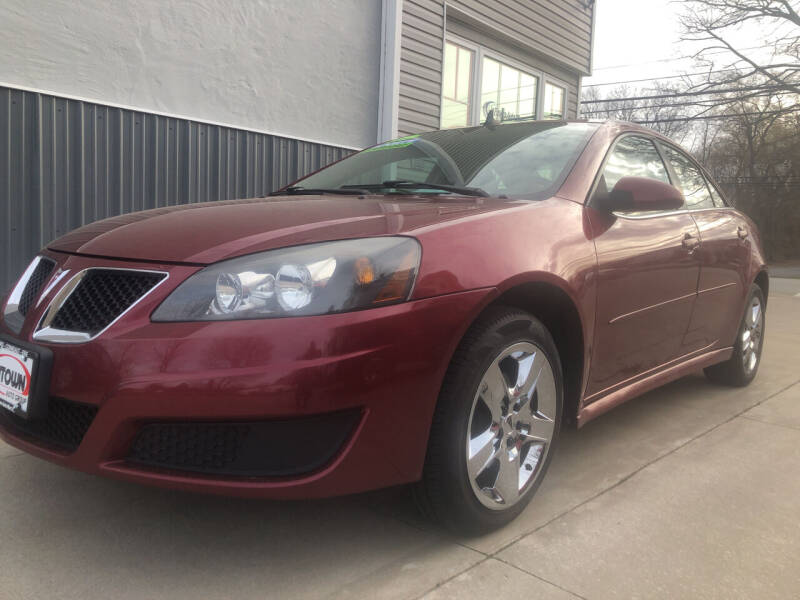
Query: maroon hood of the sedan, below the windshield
[(213, 231)]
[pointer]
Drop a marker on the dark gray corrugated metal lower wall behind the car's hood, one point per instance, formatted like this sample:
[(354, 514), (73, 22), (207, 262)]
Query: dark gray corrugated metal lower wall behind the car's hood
[(65, 163)]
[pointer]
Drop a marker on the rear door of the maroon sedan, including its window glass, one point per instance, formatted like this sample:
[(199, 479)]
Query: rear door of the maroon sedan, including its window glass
[(723, 254)]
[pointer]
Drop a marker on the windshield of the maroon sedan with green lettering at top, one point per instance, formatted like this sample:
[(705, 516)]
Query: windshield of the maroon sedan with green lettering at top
[(515, 160)]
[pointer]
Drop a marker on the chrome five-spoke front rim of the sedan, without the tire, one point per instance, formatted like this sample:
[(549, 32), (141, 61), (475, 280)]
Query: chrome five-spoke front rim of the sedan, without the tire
[(511, 425)]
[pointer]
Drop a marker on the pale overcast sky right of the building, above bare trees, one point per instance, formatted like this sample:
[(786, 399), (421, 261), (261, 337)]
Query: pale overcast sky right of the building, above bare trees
[(636, 39)]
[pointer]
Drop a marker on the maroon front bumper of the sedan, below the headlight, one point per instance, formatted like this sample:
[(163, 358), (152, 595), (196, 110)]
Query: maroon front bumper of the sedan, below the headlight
[(384, 366)]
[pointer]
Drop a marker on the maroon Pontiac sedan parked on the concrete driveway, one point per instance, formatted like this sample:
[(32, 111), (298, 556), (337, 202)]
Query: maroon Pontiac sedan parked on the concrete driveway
[(429, 310)]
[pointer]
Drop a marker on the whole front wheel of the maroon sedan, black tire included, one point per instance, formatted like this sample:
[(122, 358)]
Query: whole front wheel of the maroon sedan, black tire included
[(496, 424)]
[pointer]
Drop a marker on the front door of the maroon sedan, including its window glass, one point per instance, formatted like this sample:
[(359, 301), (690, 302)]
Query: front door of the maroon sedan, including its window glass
[(647, 275)]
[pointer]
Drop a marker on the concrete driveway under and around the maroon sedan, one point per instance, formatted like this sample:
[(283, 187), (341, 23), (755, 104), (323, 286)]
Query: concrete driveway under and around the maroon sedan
[(692, 491)]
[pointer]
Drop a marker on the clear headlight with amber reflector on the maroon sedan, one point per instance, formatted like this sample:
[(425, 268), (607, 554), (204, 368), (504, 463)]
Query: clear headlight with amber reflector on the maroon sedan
[(315, 279)]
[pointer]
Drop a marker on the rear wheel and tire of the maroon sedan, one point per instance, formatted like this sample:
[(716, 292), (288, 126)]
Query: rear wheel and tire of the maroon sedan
[(741, 368)]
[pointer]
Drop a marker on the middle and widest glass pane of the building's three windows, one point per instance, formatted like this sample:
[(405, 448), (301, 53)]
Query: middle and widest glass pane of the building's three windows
[(510, 91)]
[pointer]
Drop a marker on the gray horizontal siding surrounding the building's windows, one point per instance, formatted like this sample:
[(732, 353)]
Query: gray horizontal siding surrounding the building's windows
[(551, 36)]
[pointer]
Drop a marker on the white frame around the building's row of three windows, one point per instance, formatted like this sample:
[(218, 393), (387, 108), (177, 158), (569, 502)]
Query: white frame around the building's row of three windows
[(475, 118)]
